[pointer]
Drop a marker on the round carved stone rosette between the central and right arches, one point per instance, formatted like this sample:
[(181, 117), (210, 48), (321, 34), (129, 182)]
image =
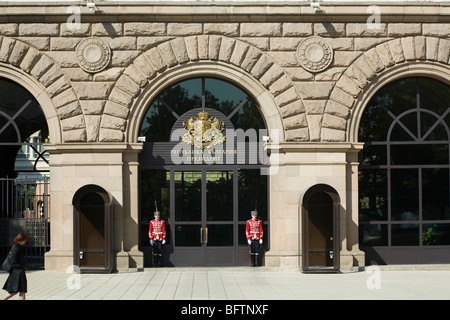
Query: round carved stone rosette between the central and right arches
[(314, 54)]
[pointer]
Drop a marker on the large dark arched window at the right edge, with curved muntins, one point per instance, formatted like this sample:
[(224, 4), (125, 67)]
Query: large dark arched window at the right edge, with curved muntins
[(404, 173)]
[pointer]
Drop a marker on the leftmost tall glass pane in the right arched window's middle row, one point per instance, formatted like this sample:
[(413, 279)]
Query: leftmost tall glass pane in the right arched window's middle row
[(373, 195)]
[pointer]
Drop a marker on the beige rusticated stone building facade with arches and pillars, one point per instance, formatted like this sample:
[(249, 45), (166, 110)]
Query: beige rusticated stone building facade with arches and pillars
[(95, 72)]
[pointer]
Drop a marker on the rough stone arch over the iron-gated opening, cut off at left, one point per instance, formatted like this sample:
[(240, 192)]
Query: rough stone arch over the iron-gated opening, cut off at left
[(44, 79)]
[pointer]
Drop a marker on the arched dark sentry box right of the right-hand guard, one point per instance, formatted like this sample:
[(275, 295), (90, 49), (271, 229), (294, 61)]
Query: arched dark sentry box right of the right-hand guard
[(320, 229)]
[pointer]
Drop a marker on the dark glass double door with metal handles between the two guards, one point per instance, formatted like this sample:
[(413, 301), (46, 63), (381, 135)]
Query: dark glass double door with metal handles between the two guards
[(204, 218)]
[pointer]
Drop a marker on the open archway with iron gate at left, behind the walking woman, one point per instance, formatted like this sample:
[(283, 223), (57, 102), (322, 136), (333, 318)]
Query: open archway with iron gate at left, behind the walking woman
[(24, 172)]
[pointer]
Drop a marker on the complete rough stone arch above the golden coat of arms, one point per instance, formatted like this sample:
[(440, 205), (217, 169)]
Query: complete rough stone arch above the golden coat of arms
[(228, 58)]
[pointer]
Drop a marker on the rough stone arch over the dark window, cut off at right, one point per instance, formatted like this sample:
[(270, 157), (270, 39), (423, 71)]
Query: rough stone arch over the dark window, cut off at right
[(386, 62)]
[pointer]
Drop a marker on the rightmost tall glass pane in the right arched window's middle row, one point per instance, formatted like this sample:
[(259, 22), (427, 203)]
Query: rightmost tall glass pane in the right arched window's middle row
[(435, 194)]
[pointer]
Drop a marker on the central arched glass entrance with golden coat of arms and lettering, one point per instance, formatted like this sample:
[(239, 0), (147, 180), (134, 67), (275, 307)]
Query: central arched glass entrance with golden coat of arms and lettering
[(201, 163)]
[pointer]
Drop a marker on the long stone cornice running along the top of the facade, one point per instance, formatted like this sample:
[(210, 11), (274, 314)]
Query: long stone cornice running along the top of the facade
[(11, 11)]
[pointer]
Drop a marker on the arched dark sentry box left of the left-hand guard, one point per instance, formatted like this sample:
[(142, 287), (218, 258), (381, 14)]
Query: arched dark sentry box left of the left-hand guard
[(93, 223)]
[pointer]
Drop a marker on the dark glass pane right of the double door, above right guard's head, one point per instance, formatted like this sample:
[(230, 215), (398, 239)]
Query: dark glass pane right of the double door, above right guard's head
[(252, 187)]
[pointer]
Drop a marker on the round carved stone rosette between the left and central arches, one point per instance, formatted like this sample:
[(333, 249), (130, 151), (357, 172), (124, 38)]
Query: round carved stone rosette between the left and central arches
[(93, 54)]
